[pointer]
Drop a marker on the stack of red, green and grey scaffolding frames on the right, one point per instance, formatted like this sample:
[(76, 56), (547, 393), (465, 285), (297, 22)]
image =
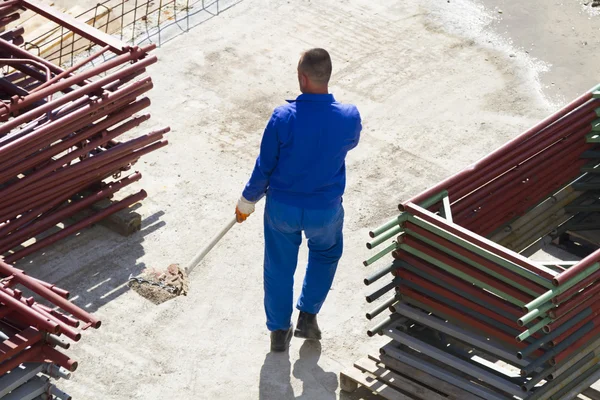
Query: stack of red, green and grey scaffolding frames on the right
[(461, 301)]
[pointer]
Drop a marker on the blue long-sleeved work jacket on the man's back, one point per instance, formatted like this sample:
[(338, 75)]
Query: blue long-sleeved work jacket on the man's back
[(303, 152)]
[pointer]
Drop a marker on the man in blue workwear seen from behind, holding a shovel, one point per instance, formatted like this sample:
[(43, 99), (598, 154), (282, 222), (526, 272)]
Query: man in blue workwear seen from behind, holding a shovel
[(301, 168)]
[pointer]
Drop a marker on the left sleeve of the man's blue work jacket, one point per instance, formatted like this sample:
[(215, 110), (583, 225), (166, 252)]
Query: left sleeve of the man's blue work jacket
[(265, 163)]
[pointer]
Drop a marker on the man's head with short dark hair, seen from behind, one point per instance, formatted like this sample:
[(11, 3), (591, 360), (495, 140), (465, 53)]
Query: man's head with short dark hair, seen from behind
[(314, 71)]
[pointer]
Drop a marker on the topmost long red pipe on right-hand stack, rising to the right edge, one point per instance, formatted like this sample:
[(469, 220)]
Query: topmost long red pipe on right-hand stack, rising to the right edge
[(504, 149)]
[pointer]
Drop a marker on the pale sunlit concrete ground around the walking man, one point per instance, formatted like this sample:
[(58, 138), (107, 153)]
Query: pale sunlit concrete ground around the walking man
[(437, 89)]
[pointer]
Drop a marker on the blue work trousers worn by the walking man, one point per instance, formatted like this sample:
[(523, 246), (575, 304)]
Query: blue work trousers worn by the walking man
[(284, 225)]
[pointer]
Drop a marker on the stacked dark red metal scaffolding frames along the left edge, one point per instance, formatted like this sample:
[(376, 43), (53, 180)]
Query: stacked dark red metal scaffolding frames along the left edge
[(61, 151)]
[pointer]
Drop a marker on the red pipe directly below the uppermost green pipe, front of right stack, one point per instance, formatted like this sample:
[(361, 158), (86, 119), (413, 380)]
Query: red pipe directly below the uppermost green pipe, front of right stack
[(476, 258)]
